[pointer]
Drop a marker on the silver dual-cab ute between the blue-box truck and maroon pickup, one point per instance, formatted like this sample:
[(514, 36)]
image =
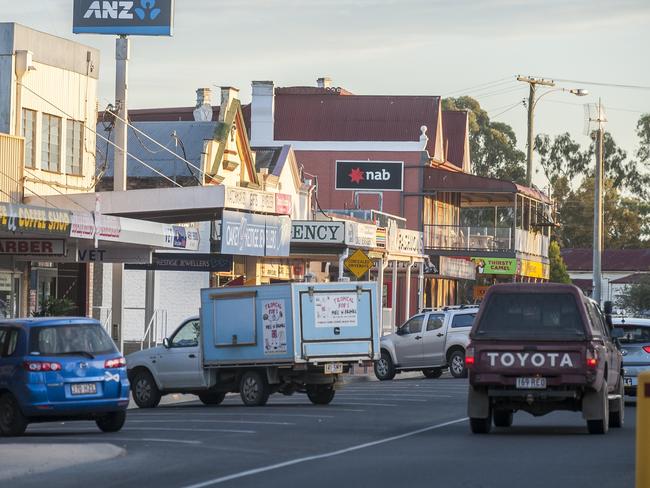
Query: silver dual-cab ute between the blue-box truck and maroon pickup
[(431, 341)]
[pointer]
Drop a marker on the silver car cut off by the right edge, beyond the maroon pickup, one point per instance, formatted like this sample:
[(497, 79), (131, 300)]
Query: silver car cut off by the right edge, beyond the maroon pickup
[(635, 347)]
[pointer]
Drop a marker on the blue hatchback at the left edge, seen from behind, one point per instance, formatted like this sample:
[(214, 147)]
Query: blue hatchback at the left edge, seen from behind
[(54, 369)]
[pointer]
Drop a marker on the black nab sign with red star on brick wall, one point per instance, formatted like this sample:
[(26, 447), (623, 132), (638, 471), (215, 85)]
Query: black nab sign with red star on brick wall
[(369, 175)]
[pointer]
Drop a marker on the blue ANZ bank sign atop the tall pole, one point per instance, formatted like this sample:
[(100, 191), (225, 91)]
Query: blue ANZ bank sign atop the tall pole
[(120, 17)]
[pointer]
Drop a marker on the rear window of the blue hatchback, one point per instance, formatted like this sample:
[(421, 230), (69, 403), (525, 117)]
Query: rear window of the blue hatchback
[(74, 339)]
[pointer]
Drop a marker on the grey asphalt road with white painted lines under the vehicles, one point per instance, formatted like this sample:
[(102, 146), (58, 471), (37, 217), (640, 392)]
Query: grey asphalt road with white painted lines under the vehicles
[(403, 433)]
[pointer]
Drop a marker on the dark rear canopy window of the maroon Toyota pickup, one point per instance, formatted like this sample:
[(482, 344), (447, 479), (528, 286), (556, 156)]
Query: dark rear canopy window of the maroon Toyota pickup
[(537, 316)]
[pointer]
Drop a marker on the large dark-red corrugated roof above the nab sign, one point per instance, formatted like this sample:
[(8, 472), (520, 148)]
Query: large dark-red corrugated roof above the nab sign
[(317, 114)]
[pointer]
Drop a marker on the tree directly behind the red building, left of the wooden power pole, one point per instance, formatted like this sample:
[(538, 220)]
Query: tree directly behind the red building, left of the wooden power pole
[(493, 145)]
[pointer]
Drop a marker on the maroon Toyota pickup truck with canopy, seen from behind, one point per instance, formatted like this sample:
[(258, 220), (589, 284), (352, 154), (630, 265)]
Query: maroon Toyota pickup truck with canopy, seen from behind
[(539, 348)]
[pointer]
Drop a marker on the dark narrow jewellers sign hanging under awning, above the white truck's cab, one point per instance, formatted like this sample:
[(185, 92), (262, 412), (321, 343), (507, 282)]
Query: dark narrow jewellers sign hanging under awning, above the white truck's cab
[(186, 261)]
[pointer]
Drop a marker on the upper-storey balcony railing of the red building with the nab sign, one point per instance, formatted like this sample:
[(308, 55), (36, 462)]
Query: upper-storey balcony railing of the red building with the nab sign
[(469, 238)]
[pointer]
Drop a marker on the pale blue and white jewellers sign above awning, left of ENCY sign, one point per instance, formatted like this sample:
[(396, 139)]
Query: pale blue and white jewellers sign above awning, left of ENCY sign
[(255, 235)]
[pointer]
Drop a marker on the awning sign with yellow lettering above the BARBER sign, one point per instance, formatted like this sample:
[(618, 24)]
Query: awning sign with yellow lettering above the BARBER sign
[(32, 219)]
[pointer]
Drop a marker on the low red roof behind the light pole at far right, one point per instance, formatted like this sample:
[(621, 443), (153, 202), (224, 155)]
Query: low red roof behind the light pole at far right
[(613, 259)]
